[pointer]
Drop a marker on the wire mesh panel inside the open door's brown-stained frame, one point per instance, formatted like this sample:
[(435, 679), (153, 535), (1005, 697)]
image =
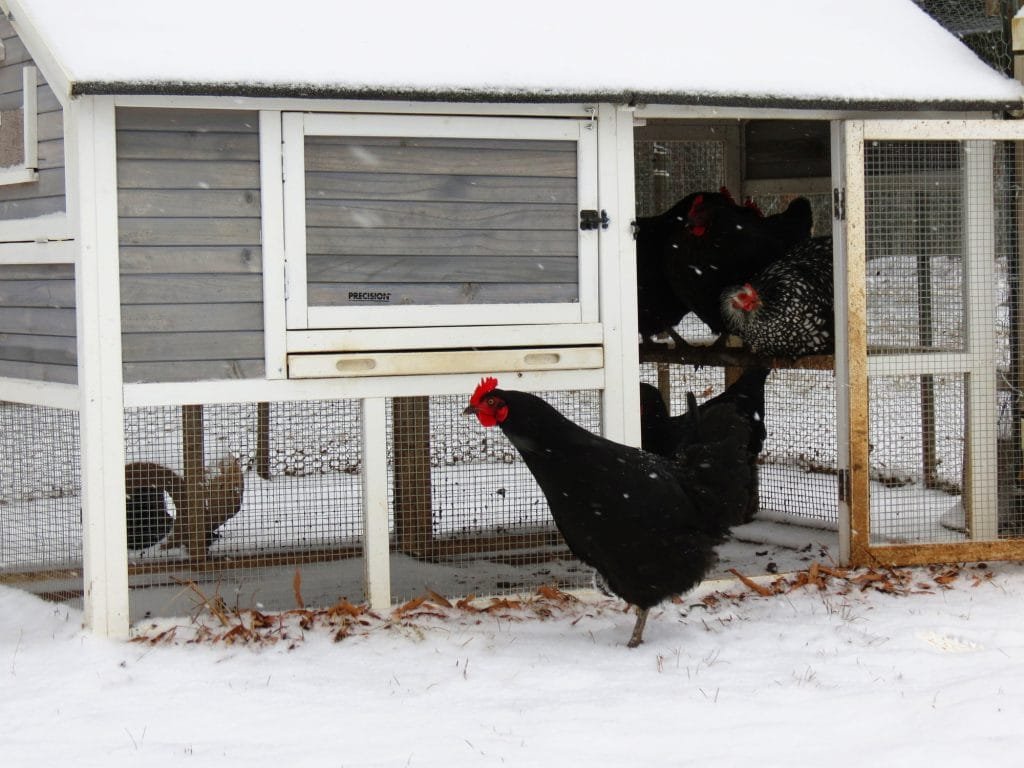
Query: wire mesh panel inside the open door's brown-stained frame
[(944, 319)]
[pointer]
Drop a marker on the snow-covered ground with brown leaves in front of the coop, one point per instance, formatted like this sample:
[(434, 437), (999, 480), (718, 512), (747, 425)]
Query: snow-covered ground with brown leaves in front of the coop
[(905, 668)]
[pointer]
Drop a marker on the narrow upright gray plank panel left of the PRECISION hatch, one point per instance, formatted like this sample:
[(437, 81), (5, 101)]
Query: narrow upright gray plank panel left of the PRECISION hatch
[(189, 208)]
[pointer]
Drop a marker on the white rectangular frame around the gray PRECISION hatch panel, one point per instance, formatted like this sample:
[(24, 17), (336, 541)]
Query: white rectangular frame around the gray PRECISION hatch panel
[(302, 317)]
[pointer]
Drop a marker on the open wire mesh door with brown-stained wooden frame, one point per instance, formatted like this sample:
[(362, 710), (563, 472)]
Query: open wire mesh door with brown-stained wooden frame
[(934, 349)]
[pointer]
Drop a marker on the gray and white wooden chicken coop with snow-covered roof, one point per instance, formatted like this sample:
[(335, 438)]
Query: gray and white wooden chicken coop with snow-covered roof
[(244, 300)]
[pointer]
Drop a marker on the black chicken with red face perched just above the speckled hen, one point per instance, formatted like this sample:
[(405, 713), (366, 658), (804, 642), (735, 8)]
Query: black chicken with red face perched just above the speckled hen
[(718, 243)]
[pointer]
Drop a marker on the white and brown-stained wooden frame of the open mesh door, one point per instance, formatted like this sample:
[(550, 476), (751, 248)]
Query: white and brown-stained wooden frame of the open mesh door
[(855, 366)]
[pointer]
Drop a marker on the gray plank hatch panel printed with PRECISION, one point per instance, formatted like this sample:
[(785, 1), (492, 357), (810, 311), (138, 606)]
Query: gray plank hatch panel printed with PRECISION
[(441, 222)]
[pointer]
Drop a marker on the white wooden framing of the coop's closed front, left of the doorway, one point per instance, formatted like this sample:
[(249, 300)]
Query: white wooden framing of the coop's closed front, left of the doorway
[(586, 346)]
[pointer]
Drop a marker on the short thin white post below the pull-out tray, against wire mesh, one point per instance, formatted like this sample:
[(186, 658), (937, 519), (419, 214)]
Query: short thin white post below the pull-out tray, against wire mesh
[(376, 546)]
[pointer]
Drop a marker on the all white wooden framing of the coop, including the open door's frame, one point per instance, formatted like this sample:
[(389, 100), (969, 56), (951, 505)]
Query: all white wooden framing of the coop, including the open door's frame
[(599, 338)]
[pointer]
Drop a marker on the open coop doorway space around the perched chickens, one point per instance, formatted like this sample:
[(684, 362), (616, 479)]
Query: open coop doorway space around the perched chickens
[(767, 164)]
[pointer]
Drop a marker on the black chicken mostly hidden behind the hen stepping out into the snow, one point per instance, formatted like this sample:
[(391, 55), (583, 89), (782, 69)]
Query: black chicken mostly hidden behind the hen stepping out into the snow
[(662, 434)]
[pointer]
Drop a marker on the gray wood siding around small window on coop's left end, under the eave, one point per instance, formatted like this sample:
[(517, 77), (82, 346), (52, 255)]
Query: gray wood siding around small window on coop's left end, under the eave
[(48, 194)]
